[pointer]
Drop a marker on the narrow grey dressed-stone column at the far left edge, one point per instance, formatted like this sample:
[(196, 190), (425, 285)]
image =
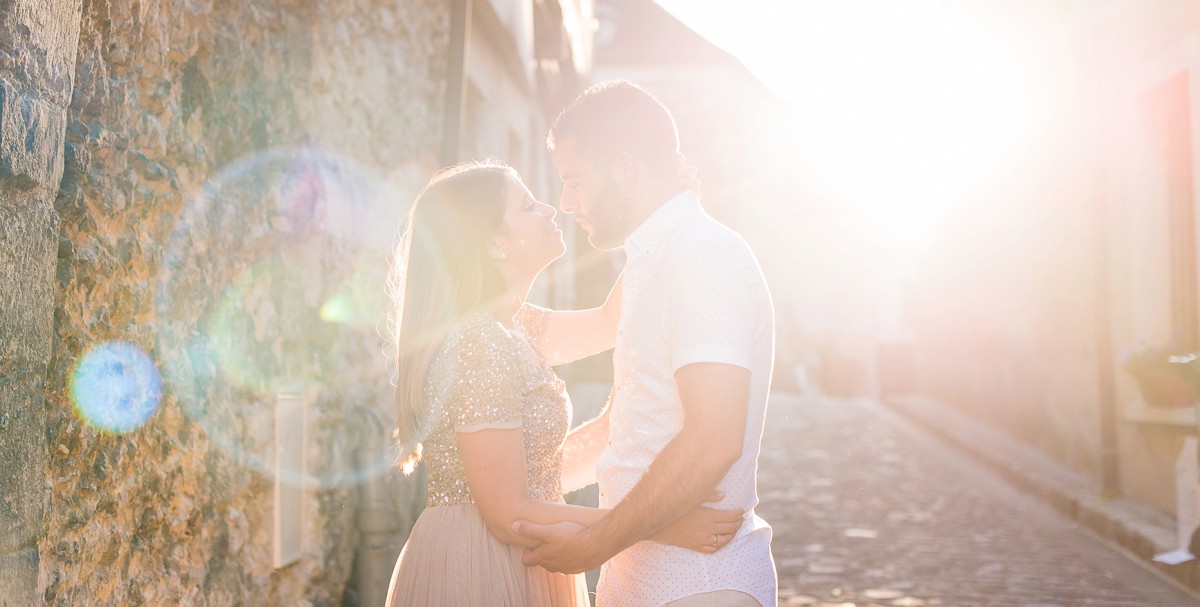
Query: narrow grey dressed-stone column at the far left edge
[(38, 41)]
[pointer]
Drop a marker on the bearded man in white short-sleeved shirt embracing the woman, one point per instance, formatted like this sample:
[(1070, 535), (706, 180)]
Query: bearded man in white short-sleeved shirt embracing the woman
[(692, 368)]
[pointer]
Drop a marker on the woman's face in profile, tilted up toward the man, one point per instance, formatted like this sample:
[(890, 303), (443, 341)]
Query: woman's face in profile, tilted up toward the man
[(530, 238)]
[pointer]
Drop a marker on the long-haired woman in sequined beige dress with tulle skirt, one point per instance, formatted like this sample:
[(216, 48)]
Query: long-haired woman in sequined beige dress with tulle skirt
[(478, 398)]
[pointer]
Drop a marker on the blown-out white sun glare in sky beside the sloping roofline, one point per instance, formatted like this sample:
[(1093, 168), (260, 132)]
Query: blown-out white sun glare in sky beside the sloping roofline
[(899, 110)]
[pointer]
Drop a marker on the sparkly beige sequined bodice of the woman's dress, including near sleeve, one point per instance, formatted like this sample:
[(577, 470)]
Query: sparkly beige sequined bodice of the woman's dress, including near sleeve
[(485, 376)]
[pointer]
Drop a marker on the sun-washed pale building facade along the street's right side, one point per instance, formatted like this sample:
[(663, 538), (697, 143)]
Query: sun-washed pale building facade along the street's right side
[(1083, 257)]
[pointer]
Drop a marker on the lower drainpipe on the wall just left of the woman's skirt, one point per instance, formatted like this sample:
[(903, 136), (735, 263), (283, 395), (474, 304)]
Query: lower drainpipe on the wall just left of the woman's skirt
[(379, 524)]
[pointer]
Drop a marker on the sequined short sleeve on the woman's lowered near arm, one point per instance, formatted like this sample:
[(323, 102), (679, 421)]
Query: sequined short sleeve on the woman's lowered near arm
[(485, 371)]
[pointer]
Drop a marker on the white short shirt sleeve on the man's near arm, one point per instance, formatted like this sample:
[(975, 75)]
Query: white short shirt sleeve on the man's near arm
[(712, 305)]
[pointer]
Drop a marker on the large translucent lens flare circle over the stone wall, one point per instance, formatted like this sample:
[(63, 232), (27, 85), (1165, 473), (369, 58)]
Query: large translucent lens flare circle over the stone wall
[(274, 259)]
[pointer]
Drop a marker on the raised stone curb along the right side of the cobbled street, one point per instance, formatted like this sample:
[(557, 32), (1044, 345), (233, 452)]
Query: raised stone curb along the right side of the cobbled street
[(1139, 530)]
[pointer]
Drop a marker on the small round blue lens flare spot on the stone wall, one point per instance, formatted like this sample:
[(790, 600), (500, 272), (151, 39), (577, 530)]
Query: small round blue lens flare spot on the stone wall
[(116, 387)]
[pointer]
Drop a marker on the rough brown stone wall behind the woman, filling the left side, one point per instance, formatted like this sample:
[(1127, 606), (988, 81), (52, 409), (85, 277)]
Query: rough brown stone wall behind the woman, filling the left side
[(232, 175)]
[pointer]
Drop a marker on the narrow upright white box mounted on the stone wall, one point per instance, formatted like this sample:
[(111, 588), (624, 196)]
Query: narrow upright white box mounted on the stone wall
[(291, 443)]
